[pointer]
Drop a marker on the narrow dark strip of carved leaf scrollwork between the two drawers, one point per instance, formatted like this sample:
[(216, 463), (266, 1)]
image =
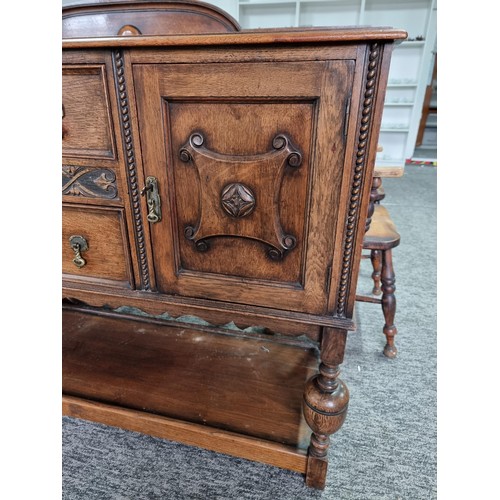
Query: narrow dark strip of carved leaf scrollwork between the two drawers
[(89, 182)]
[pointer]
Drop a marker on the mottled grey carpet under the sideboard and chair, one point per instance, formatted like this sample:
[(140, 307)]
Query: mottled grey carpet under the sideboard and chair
[(387, 446)]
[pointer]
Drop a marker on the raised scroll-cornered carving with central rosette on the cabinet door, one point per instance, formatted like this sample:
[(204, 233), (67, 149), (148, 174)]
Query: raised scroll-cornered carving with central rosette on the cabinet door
[(236, 199)]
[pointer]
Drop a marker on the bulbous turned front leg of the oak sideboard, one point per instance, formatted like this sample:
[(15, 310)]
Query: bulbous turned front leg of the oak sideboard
[(325, 405)]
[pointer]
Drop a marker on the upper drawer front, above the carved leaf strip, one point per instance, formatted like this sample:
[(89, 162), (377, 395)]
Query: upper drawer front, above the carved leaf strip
[(86, 113)]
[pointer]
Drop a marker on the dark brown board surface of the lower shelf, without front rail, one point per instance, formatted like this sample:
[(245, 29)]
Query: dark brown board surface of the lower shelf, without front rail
[(245, 385)]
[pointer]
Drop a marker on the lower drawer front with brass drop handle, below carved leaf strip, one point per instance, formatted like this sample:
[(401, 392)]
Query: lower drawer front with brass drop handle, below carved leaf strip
[(94, 246)]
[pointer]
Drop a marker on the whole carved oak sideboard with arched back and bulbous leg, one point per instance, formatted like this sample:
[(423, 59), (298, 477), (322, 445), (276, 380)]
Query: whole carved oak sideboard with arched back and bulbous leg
[(215, 190)]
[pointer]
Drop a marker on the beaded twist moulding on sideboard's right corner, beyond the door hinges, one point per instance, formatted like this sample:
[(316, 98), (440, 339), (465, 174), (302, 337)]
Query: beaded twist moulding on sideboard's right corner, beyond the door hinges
[(358, 174)]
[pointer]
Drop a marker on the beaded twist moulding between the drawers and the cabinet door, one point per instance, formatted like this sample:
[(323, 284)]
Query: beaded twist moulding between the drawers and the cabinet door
[(131, 166)]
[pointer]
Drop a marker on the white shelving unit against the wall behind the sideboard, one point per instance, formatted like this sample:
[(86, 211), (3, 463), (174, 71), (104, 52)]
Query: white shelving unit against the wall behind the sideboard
[(411, 60)]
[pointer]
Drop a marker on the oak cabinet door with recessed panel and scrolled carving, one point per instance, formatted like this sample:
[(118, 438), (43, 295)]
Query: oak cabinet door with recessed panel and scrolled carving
[(248, 159)]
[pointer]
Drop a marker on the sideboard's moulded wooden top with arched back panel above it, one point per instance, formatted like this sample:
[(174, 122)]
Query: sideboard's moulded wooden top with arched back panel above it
[(160, 23)]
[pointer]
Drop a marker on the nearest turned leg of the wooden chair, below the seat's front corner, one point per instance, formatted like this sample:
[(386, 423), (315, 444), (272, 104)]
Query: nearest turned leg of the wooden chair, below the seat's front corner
[(389, 303)]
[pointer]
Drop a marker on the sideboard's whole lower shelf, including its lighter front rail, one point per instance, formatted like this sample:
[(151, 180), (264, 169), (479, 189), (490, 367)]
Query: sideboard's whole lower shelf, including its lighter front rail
[(232, 394)]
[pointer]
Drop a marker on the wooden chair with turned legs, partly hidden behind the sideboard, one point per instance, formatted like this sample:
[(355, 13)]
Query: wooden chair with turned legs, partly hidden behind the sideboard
[(380, 238)]
